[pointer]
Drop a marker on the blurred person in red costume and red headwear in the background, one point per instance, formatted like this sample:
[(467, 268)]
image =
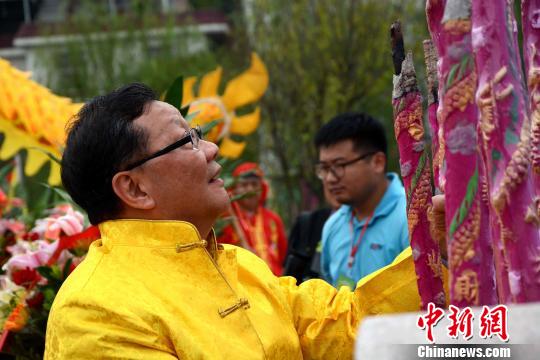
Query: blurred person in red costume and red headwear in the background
[(254, 226)]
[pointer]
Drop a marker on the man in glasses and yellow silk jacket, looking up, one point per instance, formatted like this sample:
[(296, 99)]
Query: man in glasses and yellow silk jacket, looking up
[(156, 285)]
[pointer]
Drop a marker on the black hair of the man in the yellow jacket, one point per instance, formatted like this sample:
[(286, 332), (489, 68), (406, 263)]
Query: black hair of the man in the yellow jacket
[(101, 139)]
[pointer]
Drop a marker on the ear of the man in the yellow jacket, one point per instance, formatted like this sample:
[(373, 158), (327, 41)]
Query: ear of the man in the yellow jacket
[(131, 191)]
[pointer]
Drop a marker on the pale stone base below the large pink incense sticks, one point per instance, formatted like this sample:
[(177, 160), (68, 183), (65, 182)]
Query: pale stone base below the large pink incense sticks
[(390, 336)]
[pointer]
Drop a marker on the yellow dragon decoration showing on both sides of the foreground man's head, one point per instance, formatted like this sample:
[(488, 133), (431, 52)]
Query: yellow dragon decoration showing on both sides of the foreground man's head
[(34, 119)]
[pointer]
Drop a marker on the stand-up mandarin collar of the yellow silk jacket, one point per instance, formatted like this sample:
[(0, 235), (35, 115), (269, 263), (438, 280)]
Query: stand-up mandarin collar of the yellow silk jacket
[(153, 234)]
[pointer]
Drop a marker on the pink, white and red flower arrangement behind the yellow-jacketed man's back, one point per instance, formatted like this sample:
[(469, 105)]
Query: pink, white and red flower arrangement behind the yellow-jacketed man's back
[(36, 260)]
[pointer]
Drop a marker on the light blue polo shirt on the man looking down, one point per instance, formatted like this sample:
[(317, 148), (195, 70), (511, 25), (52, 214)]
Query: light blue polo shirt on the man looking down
[(386, 236)]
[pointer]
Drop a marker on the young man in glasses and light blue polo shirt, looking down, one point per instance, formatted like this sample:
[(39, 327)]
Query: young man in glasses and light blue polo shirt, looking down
[(370, 229)]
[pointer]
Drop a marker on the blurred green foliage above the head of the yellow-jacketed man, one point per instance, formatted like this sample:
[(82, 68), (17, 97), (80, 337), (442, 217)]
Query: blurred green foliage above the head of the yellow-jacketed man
[(105, 51)]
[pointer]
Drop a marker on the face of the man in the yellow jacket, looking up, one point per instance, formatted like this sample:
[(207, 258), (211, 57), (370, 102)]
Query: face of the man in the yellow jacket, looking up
[(183, 182)]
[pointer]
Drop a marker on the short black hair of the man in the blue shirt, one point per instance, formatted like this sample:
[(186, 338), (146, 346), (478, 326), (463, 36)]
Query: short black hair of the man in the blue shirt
[(366, 132)]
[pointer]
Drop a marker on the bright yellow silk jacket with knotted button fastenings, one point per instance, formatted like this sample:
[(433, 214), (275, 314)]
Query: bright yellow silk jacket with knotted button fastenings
[(156, 290)]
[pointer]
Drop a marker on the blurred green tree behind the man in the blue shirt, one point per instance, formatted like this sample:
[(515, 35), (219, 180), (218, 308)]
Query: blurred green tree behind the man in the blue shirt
[(324, 58)]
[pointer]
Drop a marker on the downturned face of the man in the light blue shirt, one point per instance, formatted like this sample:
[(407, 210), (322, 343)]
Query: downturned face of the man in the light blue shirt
[(358, 179)]
